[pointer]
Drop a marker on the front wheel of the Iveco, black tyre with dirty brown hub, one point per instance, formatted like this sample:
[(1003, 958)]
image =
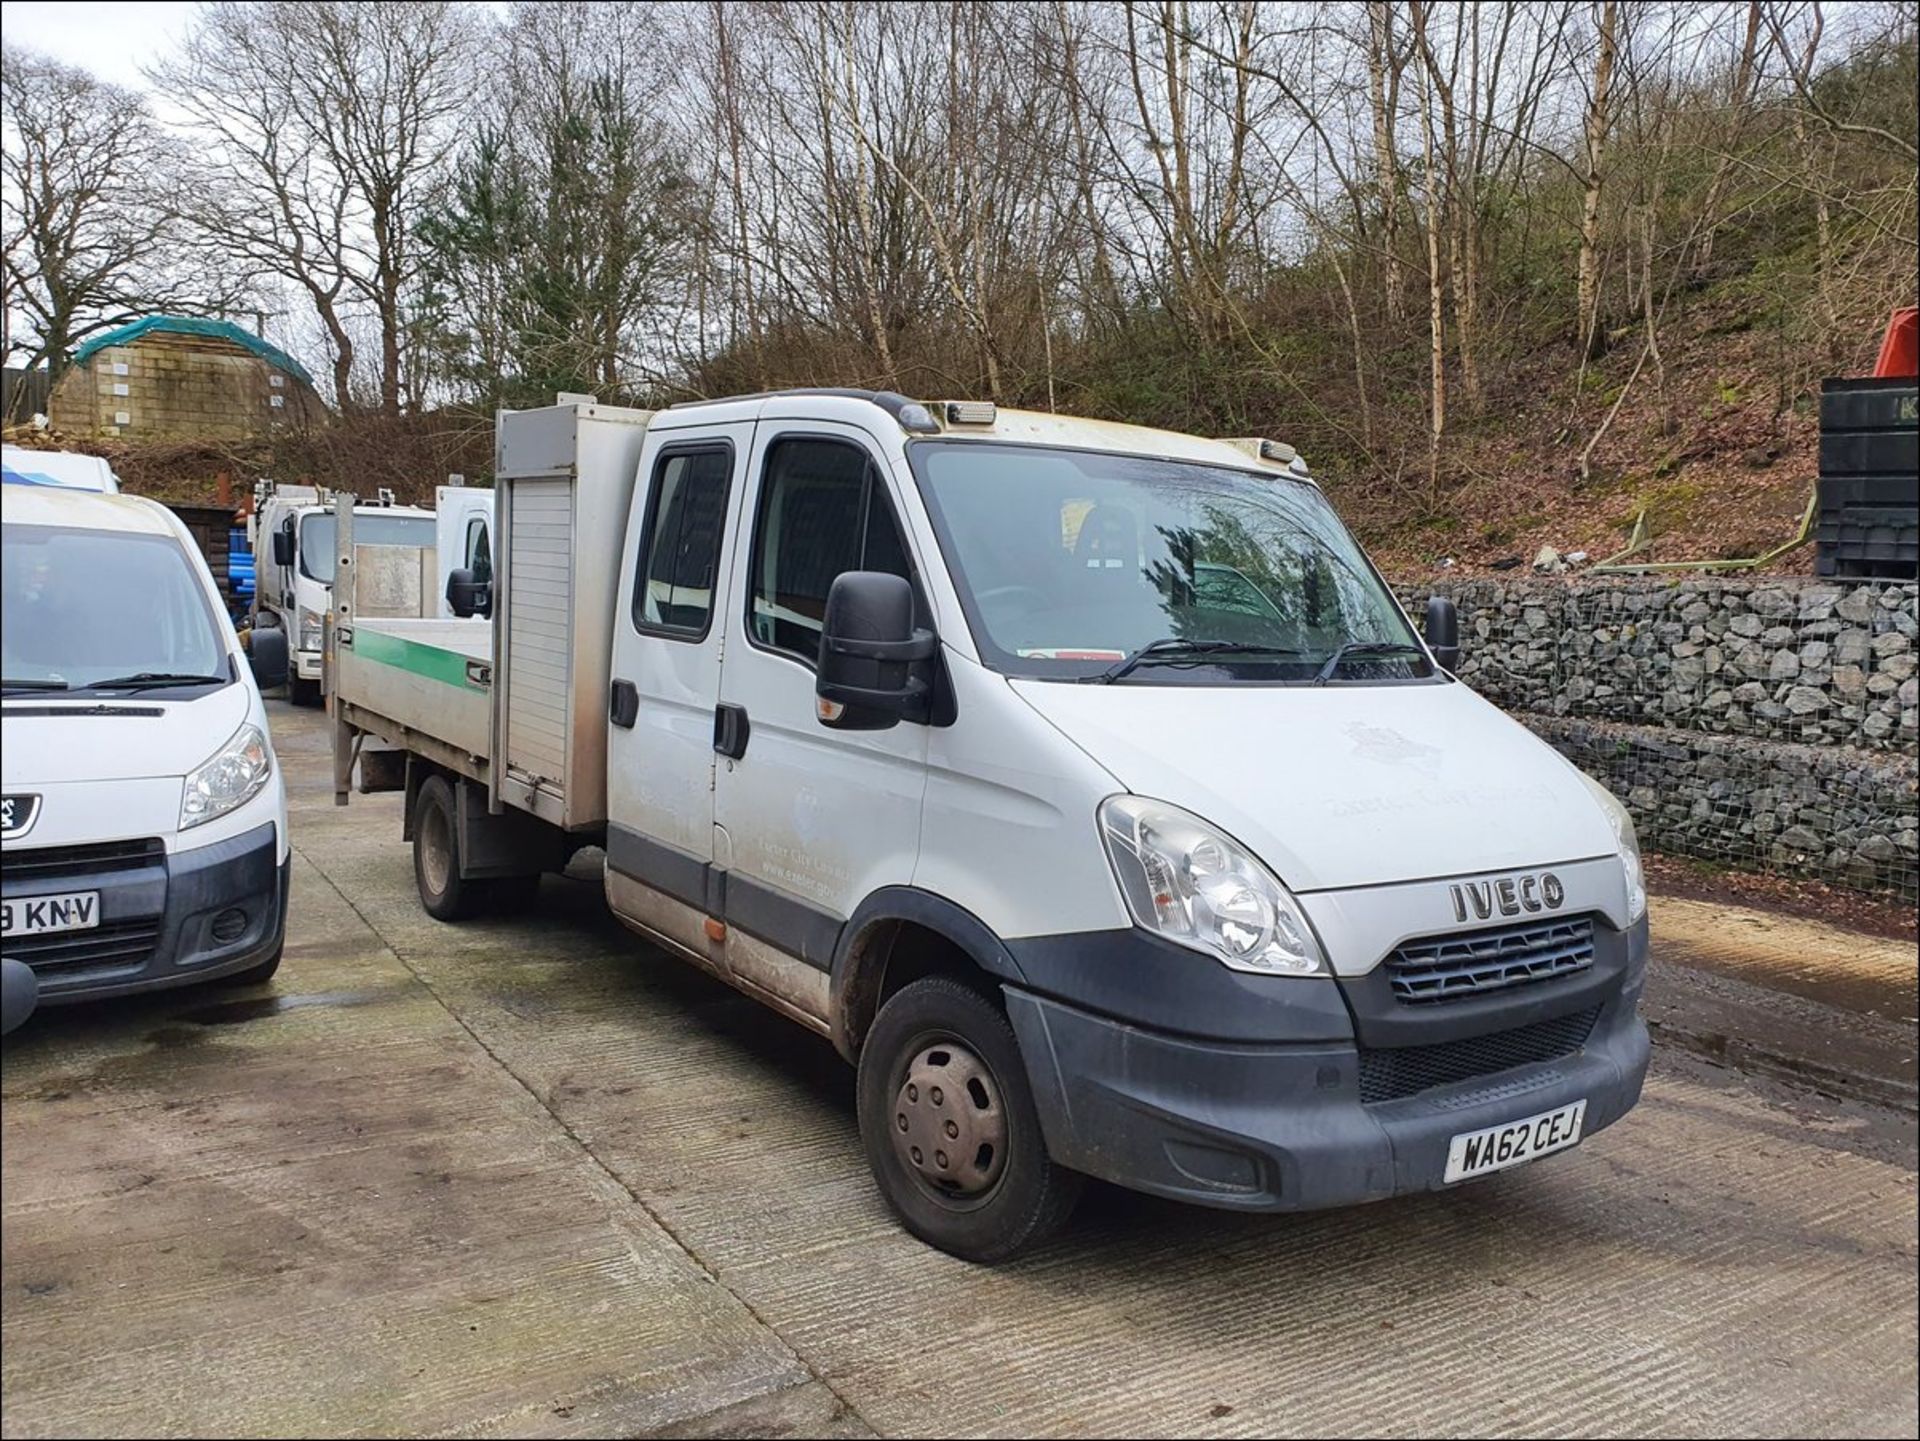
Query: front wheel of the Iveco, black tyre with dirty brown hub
[(951, 1129)]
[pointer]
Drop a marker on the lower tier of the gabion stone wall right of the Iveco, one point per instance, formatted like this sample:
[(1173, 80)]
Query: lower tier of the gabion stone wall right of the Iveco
[(1835, 815)]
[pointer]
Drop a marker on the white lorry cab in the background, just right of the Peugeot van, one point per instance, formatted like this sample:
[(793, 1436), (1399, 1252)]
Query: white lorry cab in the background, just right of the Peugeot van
[(295, 569)]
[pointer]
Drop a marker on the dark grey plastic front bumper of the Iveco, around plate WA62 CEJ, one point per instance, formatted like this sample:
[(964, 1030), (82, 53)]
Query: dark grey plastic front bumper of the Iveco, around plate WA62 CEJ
[(1284, 1127)]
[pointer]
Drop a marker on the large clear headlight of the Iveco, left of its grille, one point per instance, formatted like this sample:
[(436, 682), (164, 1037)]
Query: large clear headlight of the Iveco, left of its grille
[(1193, 886)]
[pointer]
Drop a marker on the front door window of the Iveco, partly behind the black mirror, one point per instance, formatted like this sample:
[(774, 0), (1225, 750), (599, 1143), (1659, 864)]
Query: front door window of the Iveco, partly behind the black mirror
[(823, 511)]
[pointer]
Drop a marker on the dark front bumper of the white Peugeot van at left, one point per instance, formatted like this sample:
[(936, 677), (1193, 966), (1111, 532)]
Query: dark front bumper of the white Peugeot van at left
[(164, 918)]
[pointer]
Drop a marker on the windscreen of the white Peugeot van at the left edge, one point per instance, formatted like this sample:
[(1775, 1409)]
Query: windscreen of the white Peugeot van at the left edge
[(95, 605)]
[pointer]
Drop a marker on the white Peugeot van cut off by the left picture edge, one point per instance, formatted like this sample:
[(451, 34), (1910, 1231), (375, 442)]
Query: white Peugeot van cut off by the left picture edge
[(143, 824)]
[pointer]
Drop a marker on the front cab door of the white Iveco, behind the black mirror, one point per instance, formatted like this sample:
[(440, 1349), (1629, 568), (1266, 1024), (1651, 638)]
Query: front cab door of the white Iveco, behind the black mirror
[(809, 820)]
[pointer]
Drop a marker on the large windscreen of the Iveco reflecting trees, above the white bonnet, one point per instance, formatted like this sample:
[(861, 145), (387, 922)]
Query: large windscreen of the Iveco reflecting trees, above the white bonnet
[(1072, 561)]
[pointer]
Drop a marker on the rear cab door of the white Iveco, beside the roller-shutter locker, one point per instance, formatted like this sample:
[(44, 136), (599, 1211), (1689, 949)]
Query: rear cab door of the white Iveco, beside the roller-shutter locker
[(667, 684)]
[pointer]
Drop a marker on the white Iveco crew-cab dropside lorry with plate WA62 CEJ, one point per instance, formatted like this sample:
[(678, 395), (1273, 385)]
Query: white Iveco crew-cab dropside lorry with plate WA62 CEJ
[(1084, 784)]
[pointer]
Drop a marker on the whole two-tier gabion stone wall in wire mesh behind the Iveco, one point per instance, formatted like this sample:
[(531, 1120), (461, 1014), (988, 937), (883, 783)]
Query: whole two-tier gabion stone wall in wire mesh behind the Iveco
[(1765, 724)]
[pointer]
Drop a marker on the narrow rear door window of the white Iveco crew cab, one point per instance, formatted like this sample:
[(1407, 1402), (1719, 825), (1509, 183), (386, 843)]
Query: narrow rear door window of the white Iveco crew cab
[(681, 546)]
